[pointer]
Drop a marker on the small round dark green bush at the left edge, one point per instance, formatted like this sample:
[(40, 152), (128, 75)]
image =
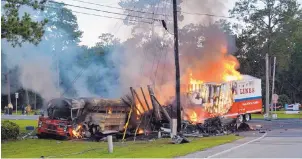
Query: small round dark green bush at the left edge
[(9, 130)]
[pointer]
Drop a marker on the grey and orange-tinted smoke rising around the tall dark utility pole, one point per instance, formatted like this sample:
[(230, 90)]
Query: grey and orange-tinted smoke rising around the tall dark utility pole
[(204, 48)]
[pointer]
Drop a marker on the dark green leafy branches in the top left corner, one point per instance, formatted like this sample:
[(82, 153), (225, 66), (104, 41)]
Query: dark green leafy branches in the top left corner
[(16, 29)]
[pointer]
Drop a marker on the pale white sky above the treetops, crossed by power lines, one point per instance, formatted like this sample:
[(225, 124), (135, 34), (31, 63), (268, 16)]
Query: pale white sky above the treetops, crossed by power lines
[(94, 26)]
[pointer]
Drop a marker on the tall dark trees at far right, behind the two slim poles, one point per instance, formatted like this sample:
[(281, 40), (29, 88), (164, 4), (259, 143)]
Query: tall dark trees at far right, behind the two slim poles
[(270, 26)]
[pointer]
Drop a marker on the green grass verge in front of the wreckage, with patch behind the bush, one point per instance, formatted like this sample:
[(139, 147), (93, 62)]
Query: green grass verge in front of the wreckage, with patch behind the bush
[(34, 148)]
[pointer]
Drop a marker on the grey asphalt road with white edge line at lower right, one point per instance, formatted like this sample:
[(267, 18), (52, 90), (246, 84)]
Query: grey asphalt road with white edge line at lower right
[(282, 139)]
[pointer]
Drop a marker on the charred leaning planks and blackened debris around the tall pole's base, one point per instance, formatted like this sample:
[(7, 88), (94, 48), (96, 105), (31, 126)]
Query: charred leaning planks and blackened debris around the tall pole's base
[(155, 121)]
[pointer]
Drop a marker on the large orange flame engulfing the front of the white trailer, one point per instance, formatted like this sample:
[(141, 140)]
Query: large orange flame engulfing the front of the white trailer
[(222, 69)]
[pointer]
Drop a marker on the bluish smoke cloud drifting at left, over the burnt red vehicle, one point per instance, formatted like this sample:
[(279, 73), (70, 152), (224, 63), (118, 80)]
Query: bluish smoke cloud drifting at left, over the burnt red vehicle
[(52, 69)]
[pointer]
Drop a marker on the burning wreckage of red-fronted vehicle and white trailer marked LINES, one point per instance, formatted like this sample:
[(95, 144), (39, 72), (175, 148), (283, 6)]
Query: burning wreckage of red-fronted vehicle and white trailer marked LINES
[(207, 109)]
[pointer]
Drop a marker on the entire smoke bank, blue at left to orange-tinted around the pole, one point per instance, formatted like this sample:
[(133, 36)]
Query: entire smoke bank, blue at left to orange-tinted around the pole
[(147, 58)]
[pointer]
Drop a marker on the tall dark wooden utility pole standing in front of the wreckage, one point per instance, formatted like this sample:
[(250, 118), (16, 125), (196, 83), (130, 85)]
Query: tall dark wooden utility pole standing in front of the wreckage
[(177, 72)]
